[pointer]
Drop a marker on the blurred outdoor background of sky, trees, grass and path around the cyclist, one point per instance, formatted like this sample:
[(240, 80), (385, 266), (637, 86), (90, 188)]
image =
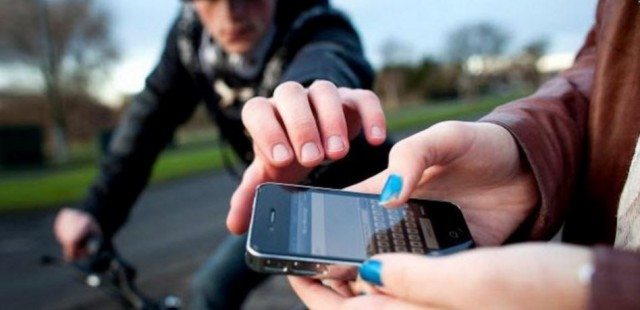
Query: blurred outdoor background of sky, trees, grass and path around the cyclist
[(68, 69)]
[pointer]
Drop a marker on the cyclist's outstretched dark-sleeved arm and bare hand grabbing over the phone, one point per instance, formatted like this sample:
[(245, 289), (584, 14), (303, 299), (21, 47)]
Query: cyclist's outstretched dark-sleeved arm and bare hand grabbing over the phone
[(297, 129)]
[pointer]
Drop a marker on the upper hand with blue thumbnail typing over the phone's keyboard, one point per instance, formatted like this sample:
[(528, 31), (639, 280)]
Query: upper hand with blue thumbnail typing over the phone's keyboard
[(475, 165)]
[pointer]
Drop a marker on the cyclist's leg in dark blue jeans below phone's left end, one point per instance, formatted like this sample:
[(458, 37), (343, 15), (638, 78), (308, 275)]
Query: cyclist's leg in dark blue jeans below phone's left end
[(224, 281)]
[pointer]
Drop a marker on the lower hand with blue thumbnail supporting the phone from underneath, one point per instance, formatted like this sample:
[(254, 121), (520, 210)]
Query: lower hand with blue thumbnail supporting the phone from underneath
[(535, 275)]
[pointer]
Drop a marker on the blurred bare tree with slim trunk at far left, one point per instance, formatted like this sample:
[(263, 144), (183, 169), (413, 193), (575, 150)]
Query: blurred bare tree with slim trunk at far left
[(69, 41)]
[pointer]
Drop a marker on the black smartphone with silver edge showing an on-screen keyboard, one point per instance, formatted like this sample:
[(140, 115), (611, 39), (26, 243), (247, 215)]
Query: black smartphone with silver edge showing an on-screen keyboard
[(327, 233)]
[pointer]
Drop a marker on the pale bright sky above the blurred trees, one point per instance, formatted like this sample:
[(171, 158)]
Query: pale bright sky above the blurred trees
[(140, 27)]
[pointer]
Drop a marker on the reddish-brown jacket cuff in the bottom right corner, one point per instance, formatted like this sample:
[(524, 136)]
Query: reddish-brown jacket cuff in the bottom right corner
[(616, 281)]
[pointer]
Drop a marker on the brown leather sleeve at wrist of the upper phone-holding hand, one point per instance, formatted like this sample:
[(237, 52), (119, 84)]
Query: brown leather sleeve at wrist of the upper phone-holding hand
[(550, 128)]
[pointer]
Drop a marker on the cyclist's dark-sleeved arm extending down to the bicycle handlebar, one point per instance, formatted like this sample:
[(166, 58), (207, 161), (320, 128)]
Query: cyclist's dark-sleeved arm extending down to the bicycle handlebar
[(168, 100)]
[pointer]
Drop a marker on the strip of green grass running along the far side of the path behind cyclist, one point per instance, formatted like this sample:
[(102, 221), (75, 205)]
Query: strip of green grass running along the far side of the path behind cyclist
[(55, 187)]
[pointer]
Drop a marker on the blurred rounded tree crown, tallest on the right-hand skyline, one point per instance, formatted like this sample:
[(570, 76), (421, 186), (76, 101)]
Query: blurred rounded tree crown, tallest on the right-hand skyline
[(482, 38)]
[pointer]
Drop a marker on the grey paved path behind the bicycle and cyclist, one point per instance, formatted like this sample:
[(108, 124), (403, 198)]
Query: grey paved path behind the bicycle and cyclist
[(172, 230)]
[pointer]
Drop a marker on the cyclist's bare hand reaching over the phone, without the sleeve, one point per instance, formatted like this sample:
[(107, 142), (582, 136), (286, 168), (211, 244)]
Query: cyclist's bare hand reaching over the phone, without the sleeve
[(298, 129)]
